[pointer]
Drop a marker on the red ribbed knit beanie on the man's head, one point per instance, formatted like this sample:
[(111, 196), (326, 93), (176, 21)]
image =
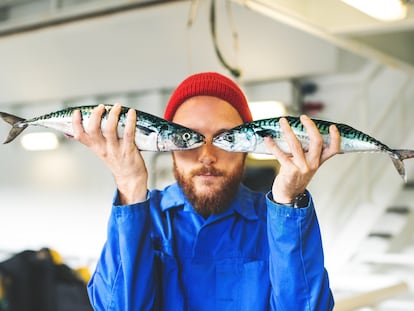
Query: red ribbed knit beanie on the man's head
[(209, 84)]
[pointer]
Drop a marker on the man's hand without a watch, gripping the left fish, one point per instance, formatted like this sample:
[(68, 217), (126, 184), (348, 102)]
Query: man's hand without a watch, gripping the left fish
[(120, 154)]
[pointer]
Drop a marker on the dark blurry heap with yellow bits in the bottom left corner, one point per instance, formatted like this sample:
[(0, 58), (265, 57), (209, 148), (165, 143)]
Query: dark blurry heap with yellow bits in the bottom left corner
[(35, 283)]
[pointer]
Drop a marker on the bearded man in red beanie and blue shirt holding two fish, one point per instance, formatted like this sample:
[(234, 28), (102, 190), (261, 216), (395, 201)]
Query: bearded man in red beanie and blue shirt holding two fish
[(207, 242)]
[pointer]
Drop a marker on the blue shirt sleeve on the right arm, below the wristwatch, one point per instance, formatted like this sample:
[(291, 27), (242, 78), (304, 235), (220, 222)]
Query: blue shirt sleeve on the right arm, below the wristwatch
[(297, 273)]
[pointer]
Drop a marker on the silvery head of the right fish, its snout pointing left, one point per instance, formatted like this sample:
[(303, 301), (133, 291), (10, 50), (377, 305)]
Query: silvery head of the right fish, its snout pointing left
[(236, 140)]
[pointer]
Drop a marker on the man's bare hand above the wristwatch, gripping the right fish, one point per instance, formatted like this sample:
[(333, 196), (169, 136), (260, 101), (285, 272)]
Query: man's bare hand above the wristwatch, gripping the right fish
[(298, 167)]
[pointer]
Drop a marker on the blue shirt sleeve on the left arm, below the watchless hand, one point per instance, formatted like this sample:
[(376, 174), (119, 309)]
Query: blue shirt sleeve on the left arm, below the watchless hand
[(127, 253)]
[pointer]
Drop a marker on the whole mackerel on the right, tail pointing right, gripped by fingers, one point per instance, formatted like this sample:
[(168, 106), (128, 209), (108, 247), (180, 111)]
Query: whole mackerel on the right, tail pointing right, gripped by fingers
[(249, 137)]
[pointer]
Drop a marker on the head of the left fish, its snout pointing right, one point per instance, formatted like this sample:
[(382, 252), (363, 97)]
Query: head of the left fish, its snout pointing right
[(182, 138)]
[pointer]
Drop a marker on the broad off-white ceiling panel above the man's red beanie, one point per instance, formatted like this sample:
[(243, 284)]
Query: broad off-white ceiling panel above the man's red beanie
[(153, 48)]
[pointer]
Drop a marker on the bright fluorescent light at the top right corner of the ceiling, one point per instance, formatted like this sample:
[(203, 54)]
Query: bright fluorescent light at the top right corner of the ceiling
[(384, 10)]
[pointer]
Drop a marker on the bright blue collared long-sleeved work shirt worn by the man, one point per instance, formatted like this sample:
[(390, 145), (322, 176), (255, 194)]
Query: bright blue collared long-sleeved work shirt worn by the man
[(257, 255)]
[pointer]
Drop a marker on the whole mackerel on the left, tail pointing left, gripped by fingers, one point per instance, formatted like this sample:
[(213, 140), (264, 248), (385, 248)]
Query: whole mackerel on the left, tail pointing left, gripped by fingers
[(152, 133)]
